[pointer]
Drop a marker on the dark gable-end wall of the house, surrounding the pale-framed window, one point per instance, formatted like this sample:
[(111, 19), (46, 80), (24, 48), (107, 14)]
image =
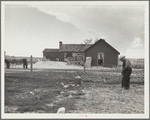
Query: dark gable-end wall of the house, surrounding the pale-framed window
[(110, 55)]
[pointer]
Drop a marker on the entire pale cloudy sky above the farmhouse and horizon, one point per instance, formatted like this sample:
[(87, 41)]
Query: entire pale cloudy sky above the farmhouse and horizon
[(30, 28)]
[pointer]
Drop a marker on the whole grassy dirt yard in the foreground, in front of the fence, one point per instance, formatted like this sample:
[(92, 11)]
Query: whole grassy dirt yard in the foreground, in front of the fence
[(41, 92)]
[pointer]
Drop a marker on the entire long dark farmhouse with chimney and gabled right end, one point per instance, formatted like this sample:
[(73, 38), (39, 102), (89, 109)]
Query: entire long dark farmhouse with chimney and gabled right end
[(101, 53)]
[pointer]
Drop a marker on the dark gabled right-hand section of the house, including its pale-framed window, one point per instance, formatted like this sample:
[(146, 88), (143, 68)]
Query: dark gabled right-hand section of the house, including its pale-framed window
[(102, 54)]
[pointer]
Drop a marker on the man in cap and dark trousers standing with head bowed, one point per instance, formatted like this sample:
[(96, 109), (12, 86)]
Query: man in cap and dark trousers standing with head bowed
[(126, 72)]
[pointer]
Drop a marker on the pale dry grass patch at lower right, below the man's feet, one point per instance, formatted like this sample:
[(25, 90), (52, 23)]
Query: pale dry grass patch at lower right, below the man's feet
[(111, 100)]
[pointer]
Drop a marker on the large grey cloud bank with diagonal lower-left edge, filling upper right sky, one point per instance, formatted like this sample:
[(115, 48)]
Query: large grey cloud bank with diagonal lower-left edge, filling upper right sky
[(126, 20)]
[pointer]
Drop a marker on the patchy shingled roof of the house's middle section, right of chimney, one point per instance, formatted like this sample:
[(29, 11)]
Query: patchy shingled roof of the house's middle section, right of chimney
[(74, 47)]
